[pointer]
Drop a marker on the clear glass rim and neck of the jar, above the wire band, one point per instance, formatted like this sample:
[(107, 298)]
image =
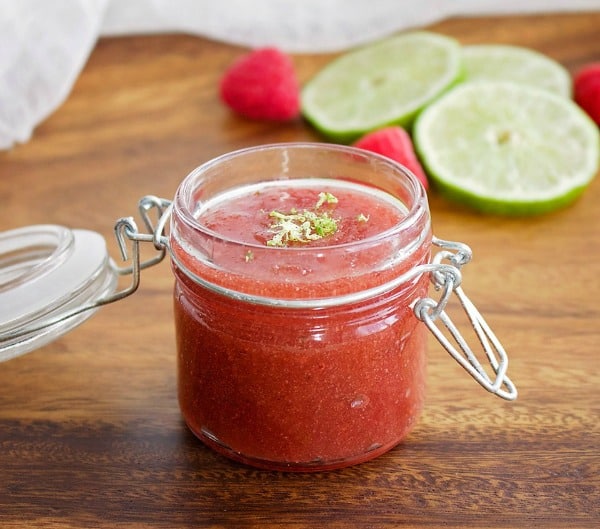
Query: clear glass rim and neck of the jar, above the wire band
[(303, 275)]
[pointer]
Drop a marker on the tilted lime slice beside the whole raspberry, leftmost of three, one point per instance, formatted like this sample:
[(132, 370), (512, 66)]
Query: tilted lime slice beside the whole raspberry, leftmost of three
[(384, 83)]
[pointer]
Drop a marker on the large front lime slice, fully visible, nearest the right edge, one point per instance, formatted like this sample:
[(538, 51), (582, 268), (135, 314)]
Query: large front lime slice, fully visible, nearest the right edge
[(507, 148)]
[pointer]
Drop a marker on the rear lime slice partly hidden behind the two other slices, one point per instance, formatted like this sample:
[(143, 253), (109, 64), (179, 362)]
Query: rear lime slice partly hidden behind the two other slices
[(495, 62)]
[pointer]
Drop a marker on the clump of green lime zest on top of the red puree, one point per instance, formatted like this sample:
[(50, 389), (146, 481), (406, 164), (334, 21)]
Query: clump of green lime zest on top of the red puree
[(305, 226)]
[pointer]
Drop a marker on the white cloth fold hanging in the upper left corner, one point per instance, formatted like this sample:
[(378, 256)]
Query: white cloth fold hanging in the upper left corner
[(43, 47)]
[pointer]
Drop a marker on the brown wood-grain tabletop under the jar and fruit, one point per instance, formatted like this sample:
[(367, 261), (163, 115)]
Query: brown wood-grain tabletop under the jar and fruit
[(90, 431)]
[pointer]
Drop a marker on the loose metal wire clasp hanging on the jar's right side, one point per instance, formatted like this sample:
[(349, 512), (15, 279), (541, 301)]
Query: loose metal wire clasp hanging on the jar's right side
[(447, 279)]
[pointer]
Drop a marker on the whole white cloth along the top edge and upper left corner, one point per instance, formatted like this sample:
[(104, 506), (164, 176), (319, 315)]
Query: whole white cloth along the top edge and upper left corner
[(45, 44)]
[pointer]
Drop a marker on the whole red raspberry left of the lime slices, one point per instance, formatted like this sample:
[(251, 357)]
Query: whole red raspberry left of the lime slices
[(262, 85)]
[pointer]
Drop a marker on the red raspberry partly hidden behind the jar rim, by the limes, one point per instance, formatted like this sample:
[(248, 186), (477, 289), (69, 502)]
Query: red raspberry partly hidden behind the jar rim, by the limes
[(395, 143)]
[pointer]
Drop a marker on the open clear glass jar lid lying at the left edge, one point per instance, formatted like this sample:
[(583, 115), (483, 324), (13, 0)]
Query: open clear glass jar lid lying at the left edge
[(48, 272)]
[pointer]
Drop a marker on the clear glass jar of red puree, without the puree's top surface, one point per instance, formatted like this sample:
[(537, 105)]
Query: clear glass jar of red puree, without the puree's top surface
[(300, 357)]
